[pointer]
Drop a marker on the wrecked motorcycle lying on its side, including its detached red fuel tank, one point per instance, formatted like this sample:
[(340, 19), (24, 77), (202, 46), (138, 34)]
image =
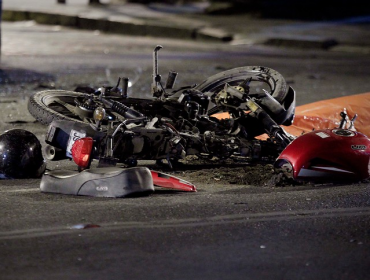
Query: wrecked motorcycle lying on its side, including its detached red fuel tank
[(109, 126)]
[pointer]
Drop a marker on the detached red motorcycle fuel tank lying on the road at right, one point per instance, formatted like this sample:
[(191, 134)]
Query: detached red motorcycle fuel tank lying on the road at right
[(331, 153)]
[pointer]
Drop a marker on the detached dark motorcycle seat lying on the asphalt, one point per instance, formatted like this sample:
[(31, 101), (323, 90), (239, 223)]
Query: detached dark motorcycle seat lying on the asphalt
[(99, 182)]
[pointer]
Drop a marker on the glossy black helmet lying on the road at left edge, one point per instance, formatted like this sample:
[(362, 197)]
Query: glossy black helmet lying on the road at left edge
[(20, 155)]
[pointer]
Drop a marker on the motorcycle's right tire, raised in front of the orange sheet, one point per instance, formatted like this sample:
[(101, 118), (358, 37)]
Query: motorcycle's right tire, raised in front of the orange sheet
[(272, 78)]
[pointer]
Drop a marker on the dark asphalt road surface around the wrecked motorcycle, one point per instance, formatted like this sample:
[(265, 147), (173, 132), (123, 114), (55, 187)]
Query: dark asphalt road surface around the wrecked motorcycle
[(219, 232)]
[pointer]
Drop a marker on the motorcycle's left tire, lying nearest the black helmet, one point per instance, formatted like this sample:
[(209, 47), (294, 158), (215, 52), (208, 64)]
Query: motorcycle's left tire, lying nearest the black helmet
[(43, 106)]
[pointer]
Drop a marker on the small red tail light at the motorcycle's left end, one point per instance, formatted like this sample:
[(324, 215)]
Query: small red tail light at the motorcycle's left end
[(81, 152)]
